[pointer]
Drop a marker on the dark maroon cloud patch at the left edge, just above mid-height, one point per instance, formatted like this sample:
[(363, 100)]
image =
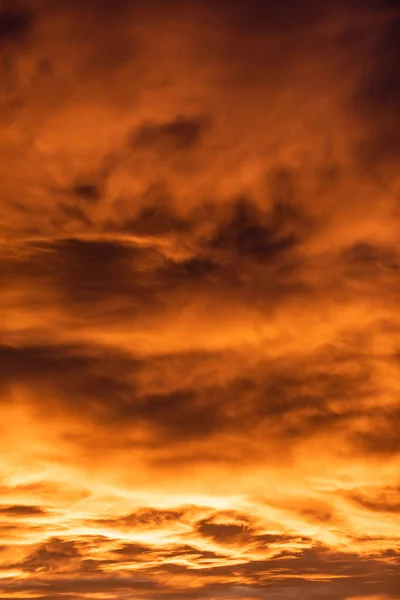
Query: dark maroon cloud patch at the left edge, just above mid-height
[(91, 272)]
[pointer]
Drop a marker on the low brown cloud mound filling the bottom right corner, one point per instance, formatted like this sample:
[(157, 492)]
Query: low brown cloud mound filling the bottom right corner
[(291, 575)]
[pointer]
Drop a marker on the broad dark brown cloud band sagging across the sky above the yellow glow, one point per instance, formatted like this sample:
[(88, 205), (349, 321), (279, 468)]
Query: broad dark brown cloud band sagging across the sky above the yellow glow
[(292, 401)]
